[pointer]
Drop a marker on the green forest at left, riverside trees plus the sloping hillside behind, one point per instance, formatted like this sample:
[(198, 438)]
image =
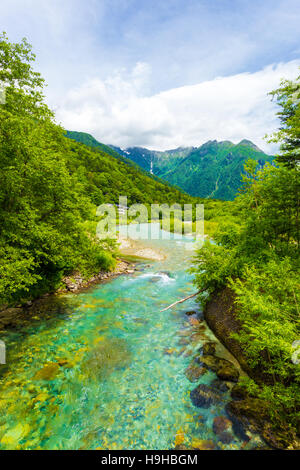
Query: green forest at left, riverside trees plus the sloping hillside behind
[(51, 186)]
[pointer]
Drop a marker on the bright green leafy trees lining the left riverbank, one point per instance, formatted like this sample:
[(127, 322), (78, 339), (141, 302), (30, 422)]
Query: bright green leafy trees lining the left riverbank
[(44, 231)]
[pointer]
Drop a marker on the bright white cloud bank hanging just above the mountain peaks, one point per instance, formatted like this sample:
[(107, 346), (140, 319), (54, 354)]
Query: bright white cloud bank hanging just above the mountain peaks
[(118, 111)]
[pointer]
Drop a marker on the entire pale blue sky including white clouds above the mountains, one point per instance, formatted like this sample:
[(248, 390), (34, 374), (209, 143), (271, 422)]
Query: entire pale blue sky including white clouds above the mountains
[(153, 72)]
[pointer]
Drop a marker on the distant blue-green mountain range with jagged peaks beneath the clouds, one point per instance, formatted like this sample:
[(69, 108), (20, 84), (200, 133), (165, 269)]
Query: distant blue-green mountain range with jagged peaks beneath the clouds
[(212, 170)]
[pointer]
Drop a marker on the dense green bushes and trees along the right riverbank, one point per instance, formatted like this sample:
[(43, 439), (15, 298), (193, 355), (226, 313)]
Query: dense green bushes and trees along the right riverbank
[(256, 254)]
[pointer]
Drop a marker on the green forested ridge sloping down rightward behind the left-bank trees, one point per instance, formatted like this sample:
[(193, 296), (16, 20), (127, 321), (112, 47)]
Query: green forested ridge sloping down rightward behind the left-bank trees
[(109, 175)]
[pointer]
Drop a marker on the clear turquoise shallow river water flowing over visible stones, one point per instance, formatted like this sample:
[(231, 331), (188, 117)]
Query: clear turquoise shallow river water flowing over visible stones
[(106, 369)]
